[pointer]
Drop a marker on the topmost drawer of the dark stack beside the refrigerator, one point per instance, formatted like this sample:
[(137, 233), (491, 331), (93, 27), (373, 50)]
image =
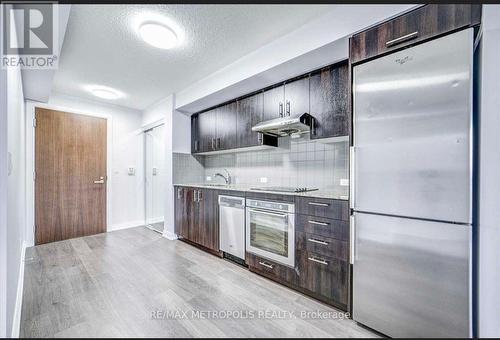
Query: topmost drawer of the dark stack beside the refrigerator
[(322, 207)]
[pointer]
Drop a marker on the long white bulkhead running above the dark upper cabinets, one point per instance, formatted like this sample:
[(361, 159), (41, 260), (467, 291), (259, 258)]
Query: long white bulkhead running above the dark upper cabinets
[(336, 24)]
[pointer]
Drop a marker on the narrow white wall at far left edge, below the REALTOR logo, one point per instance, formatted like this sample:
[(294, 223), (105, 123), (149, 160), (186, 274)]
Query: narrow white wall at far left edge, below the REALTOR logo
[(12, 199)]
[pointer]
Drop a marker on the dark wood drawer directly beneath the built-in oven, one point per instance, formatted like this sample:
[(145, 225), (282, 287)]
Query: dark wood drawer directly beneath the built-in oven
[(271, 269)]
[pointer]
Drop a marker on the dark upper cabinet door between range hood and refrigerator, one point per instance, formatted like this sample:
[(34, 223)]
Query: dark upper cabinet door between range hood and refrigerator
[(329, 102)]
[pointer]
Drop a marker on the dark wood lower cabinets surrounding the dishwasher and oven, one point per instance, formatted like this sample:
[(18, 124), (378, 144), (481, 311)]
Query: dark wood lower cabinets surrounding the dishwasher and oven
[(321, 244)]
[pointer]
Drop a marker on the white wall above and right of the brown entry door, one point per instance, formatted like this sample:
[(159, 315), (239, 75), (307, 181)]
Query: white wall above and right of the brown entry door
[(126, 204)]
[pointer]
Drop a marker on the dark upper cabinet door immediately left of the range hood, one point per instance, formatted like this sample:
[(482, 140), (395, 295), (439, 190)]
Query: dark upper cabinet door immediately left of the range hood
[(250, 113)]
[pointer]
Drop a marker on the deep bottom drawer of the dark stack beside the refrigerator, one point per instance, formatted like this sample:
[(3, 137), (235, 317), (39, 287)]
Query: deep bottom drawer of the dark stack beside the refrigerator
[(324, 277)]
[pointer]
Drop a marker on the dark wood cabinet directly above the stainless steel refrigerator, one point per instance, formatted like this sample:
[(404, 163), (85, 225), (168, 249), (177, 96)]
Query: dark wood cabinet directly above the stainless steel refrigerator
[(416, 26)]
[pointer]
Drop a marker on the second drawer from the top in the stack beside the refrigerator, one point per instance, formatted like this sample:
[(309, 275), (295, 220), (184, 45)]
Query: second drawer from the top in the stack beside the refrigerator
[(326, 227)]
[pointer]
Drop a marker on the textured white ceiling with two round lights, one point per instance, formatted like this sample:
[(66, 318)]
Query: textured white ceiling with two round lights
[(102, 46)]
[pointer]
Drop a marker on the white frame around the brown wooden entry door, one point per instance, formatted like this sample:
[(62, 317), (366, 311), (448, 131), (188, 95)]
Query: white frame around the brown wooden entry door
[(30, 162)]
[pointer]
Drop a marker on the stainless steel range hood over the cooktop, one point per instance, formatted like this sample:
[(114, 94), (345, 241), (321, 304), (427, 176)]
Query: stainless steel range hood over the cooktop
[(285, 126)]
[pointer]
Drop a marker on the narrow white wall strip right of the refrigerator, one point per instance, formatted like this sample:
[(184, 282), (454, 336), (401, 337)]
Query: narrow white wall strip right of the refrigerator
[(489, 218)]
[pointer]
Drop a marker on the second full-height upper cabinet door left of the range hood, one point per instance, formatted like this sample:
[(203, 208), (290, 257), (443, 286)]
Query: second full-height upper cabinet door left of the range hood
[(226, 126)]
